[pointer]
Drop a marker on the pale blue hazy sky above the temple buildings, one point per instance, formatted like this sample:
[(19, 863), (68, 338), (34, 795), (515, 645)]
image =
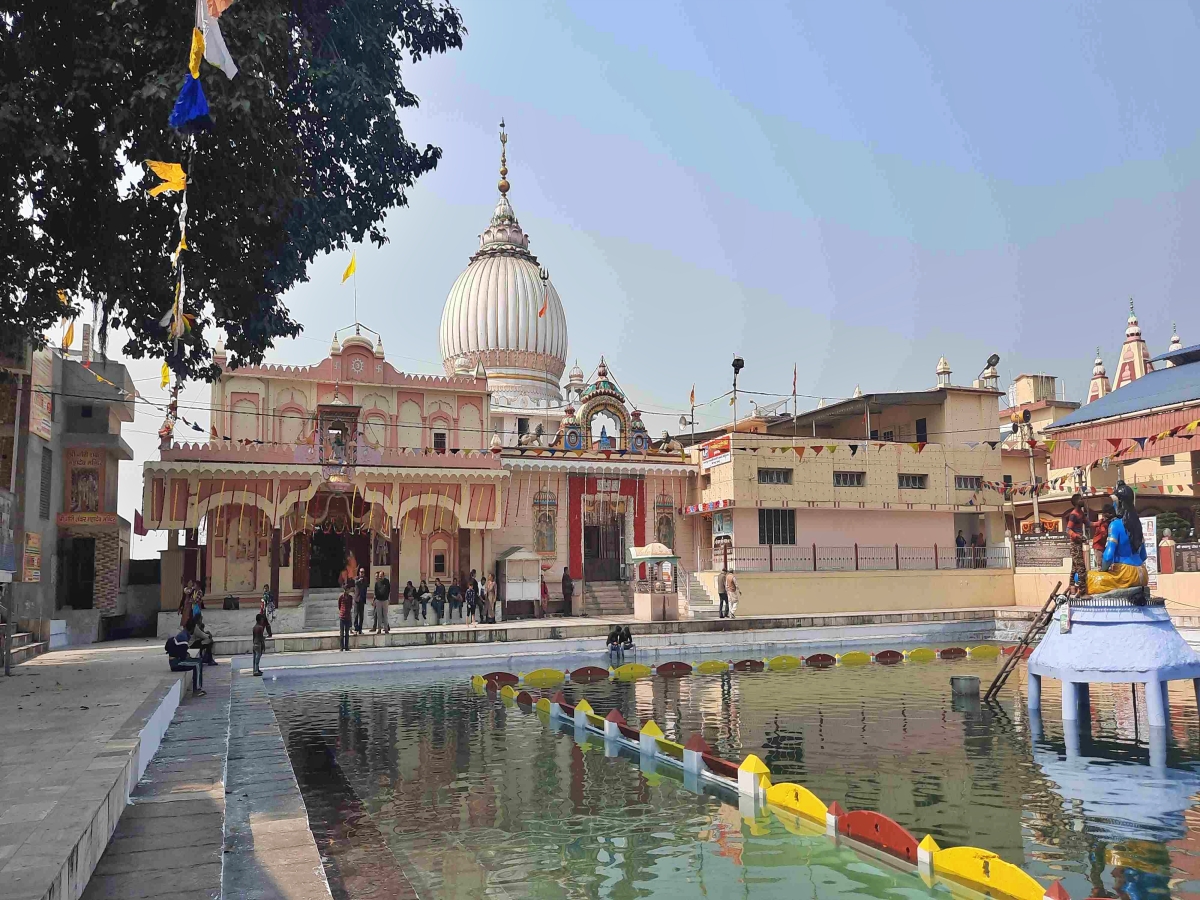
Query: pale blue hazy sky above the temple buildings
[(850, 189)]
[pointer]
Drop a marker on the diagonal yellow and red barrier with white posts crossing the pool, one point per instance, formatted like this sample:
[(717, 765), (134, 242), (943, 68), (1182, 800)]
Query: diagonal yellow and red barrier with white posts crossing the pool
[(800, 811)]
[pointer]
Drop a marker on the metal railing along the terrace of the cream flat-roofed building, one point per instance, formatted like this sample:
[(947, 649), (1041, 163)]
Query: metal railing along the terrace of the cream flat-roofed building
[(860, 557)]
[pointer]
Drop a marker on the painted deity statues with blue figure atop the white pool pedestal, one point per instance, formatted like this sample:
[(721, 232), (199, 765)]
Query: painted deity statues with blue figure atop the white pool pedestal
[(1117, 543)]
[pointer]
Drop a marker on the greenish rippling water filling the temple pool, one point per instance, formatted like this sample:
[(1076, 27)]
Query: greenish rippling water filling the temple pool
[(419, 787)]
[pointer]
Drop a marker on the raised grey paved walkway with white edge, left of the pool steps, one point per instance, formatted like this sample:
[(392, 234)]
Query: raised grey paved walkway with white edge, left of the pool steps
[(69, 747)]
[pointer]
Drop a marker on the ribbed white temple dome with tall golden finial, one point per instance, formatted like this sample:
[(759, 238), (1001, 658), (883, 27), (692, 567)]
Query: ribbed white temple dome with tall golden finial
[(491, 314)]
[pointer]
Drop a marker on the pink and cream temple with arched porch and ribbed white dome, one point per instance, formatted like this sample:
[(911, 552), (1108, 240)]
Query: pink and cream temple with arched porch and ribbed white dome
[(313, 472)]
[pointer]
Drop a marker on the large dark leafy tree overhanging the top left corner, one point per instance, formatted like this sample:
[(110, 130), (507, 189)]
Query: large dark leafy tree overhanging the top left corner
[(305, 157)]
